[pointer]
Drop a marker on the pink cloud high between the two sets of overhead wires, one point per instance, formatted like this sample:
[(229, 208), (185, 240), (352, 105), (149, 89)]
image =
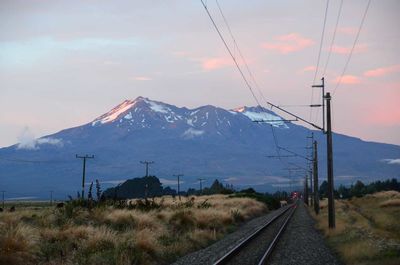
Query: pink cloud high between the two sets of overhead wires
[(288, 43)]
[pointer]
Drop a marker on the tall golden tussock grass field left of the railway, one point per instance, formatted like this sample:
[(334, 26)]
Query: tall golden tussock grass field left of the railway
[(106, 235)]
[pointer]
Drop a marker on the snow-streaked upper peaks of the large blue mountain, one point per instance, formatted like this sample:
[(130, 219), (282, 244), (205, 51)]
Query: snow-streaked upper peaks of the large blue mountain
[(134, 113)]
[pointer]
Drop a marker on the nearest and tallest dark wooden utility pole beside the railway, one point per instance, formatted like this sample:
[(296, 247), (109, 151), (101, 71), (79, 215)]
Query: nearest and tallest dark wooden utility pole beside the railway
[(331, 199)]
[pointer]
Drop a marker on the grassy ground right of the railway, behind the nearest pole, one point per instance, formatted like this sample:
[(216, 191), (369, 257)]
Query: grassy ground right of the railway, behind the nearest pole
[(367, 229)]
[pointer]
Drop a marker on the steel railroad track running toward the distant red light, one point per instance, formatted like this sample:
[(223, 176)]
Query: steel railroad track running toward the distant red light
[(257, 247)]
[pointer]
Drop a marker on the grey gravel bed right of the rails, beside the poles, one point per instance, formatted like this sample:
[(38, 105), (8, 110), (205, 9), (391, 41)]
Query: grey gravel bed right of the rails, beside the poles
[(302, 244)]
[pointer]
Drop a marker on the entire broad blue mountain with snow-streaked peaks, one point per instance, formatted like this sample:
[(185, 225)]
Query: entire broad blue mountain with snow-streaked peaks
[(207, 142)]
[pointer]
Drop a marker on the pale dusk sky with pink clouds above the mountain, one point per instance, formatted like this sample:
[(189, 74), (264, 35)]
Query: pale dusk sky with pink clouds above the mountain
[(64, 63)]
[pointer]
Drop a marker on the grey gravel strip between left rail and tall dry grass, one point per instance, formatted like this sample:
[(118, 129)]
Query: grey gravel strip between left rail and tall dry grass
[(218, 249)]
